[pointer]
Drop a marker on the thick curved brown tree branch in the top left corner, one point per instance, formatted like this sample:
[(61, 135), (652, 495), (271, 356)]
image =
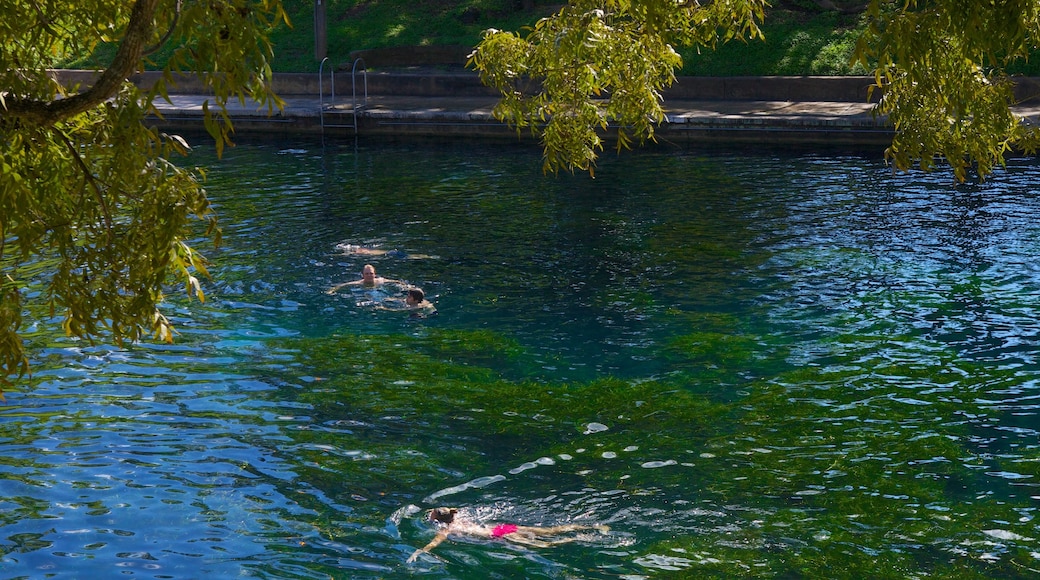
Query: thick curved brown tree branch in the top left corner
[(128, 57)]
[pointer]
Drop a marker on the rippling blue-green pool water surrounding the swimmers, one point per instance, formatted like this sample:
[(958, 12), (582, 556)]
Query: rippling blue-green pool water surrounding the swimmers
[(746, 365)]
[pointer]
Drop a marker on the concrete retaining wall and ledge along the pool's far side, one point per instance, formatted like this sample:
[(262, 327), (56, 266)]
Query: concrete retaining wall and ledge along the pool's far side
[(812, 111)]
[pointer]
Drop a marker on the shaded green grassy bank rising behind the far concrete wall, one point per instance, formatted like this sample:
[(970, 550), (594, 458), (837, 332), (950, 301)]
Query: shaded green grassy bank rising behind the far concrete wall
[(801, 39)]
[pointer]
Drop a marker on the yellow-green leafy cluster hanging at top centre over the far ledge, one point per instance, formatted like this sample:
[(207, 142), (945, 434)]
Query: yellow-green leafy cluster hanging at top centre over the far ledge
[(597, 63)]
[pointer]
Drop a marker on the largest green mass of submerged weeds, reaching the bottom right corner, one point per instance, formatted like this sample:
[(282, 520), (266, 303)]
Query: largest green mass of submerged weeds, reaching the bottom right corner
[(829, 458)]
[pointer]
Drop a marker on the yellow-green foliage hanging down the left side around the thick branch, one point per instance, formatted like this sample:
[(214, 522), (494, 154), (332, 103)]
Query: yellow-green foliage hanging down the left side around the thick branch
[(86, 184)]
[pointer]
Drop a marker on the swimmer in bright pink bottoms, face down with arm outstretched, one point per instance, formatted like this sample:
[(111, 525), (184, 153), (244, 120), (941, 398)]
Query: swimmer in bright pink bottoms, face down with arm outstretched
[(447, 521)]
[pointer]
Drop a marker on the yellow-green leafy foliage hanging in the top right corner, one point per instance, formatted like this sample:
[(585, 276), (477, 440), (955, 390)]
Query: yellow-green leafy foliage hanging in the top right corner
[(943, 67)]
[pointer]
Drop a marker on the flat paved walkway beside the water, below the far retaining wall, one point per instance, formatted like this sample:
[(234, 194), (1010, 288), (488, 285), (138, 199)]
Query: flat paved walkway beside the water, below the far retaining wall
[(756, 121)]
